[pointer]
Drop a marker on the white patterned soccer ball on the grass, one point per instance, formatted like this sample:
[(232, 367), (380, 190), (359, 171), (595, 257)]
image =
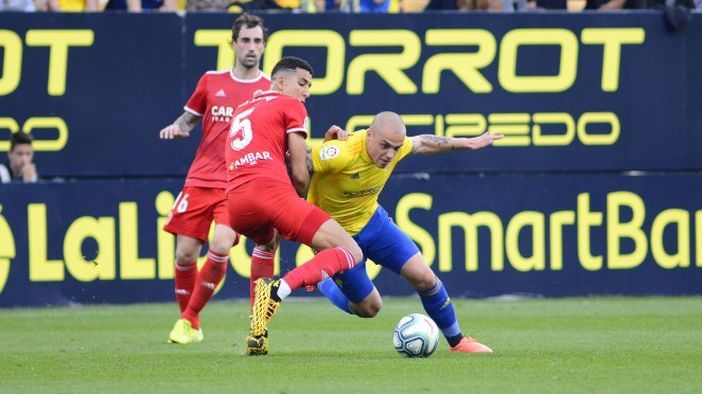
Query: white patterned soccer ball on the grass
[(416, 335)]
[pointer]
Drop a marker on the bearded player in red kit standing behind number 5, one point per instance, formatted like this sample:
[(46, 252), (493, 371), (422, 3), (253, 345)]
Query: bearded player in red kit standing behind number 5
[(202, 199)]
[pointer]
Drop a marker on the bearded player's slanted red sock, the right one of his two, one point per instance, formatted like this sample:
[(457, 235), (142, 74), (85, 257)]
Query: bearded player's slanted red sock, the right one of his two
[(207, 281)]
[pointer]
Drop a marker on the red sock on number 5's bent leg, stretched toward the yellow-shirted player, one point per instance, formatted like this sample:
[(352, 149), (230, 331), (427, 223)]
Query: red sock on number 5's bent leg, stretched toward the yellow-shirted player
[(323, 265)]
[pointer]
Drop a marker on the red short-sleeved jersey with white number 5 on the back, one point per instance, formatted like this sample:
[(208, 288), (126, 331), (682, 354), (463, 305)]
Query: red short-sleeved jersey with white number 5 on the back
[(258, 139)]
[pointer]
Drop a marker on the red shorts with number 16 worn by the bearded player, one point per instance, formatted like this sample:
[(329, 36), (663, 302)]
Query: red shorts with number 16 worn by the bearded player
[(194, 210)]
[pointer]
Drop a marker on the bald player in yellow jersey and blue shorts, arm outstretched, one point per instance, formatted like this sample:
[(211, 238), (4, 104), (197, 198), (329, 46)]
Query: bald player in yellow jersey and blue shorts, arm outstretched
[(348, 176)]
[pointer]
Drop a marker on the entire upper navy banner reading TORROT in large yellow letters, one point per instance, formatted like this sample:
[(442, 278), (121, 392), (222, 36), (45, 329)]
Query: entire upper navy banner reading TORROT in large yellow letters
[(569, 91)]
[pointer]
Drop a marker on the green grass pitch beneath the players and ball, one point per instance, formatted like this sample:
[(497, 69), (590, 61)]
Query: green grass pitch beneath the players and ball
[(615, 345)]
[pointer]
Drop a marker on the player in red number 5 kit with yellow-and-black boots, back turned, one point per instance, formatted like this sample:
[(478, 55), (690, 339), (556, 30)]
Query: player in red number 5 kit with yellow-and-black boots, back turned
[(264, 198)]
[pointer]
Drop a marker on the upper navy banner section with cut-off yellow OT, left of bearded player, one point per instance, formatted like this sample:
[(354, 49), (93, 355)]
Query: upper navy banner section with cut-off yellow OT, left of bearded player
[(86, 87)]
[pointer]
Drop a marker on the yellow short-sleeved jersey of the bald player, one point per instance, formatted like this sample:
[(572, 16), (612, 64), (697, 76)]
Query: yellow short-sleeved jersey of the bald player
[(346, 183)]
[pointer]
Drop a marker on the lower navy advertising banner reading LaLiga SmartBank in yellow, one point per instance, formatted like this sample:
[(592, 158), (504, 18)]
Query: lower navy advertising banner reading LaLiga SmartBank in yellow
[(551, 235)]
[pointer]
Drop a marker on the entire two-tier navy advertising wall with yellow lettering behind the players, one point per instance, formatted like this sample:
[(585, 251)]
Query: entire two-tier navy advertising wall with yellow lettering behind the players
[(595, 190)]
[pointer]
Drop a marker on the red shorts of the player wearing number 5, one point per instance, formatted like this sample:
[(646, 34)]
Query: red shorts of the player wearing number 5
[(260, 206)]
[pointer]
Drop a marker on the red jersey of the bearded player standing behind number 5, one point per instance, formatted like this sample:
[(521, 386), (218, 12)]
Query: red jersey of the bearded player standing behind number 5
[(215, 98)]
